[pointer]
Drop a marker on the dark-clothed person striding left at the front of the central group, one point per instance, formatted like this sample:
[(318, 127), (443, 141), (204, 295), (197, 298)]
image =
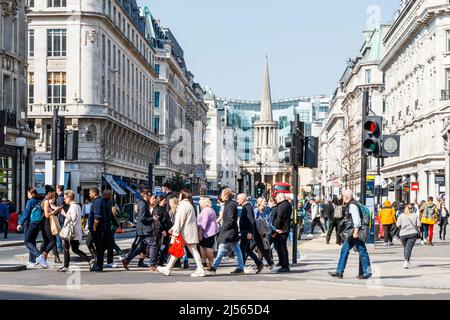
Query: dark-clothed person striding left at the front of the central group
[(145, 231)]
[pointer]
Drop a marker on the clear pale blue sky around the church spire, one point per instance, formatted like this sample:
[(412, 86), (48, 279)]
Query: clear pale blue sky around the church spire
[(308, 42)]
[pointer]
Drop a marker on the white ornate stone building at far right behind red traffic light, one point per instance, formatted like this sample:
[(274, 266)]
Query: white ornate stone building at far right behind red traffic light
[(416, 65)]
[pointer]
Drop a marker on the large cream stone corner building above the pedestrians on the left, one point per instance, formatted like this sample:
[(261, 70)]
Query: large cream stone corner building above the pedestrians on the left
[(103, 83)]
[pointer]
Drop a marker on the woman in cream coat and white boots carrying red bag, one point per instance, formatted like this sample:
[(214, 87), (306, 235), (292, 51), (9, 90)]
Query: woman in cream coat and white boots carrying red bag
[(186, 225)]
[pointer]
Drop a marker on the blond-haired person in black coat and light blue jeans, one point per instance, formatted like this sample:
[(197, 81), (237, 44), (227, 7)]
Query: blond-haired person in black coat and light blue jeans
[(229, 234)]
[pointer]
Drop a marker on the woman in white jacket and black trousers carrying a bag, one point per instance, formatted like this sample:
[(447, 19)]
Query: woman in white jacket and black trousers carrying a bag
[(73, 215)]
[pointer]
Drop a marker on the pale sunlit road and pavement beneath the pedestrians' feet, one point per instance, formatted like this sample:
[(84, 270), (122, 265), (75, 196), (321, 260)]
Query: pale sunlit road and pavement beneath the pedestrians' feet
[(428, 279)]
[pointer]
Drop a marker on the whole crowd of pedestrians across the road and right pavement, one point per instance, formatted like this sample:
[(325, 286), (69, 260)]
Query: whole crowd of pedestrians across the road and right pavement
[(252, 232)]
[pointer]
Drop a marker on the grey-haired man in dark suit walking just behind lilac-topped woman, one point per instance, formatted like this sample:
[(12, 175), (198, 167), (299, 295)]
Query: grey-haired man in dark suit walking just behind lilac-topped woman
[(247, 226)]
